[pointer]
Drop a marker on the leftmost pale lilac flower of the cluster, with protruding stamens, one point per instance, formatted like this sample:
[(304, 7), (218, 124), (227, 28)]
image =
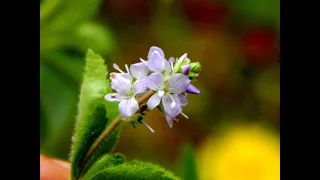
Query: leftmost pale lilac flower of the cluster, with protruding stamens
[(126, 91)]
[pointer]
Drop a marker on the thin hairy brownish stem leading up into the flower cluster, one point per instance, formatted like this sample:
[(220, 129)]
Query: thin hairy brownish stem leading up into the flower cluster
[(105, 134)]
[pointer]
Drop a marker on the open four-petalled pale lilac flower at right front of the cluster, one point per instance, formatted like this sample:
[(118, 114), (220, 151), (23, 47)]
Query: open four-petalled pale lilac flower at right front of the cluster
[(168, 93)]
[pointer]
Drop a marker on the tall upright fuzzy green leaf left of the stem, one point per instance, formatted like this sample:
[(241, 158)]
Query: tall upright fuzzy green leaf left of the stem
[(92, 116)]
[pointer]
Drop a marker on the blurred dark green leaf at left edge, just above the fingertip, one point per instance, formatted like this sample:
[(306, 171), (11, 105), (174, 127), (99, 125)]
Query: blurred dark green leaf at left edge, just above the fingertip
[(58, 103)]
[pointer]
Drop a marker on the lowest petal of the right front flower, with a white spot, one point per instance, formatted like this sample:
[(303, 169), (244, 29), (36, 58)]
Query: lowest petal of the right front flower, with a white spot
[(171, 105)]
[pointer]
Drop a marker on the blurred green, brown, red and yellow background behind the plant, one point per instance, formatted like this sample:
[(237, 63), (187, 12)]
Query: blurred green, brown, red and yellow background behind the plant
[(233, 126)]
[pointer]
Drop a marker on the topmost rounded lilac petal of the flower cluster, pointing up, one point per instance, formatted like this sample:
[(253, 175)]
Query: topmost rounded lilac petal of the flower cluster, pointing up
[(156, 61)]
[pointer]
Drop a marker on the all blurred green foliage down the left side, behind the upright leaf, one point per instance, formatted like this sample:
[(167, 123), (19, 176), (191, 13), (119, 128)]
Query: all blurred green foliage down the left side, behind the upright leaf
[(66, 32)]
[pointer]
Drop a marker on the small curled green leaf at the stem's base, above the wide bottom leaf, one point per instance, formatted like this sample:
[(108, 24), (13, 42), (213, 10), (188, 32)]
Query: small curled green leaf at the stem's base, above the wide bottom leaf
[(105, 162)]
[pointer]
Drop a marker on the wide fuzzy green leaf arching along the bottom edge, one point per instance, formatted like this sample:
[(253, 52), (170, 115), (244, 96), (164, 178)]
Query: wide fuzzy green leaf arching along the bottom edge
[(135, 171)]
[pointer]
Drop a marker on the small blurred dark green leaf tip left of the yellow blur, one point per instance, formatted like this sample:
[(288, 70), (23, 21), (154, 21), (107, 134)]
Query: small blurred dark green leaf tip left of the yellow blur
[(188, 167)]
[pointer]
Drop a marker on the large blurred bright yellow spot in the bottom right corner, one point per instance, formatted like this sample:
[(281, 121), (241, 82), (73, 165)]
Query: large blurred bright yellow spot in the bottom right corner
[(241, 154)]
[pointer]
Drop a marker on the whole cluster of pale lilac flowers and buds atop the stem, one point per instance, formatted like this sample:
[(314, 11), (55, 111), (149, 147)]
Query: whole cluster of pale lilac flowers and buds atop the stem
[(166, 84)]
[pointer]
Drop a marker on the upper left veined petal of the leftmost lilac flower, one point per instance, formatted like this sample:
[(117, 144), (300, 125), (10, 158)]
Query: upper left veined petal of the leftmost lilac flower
[(121, 85)]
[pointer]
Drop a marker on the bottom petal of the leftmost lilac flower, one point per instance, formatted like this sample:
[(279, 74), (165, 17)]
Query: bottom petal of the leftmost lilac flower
[(128, 107)]
